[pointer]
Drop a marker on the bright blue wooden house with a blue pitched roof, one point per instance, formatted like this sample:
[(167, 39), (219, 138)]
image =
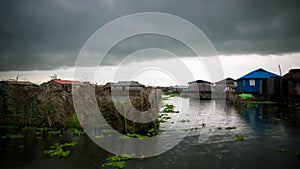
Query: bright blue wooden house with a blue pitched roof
[(253, 81)]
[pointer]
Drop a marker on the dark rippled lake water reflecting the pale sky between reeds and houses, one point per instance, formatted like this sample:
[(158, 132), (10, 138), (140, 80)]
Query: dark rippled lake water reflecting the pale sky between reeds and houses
[(271, 133)]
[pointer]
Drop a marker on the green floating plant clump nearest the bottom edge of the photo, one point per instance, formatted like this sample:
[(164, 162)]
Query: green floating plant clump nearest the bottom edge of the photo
[(117, 161)]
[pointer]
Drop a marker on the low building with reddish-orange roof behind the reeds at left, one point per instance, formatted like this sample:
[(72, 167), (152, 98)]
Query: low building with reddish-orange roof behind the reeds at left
[(61, 85)]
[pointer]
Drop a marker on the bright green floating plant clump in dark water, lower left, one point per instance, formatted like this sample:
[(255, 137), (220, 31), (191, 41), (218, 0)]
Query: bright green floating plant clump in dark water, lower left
[(59, 150)]
